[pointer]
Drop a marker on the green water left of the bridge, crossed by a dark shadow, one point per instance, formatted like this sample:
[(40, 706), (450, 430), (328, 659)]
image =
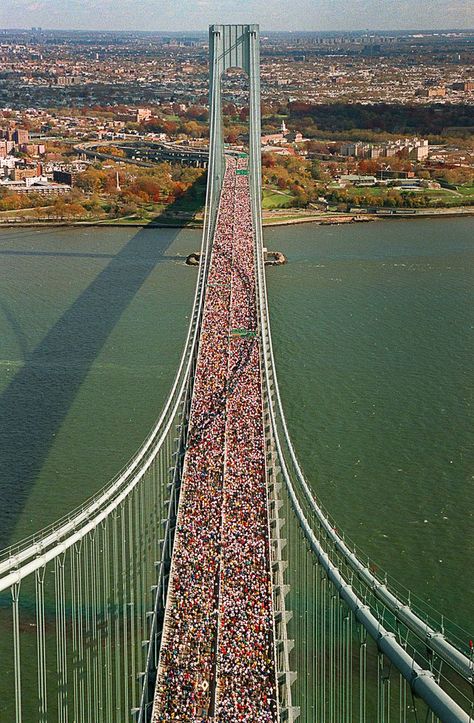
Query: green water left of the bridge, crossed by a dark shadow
[(91, 325)]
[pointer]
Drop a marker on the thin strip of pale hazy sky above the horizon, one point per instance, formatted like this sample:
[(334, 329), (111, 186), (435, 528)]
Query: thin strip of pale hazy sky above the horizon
[(271, 14)]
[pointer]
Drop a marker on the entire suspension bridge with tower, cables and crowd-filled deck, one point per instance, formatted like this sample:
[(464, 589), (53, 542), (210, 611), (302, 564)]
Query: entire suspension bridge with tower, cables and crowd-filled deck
[(206, 581)]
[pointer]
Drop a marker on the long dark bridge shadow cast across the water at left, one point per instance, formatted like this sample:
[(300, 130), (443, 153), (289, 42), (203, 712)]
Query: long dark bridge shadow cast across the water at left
[(34, 405)]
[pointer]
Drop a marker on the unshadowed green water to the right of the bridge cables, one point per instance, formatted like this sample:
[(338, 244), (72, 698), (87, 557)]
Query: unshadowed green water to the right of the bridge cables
[(374, 345)]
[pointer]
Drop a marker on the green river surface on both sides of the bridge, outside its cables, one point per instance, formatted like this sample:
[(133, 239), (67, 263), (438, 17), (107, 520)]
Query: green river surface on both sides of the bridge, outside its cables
[(373, 331)]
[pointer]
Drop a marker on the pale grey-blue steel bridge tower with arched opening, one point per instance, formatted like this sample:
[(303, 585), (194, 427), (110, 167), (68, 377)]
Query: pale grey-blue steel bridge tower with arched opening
[(234, 46)]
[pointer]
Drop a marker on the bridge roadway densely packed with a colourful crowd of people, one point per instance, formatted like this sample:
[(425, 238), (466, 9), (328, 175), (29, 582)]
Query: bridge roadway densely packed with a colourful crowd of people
[(218, 655)]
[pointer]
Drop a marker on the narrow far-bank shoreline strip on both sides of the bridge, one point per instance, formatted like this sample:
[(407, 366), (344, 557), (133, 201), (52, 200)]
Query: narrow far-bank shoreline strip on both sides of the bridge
[(329, 220)]
